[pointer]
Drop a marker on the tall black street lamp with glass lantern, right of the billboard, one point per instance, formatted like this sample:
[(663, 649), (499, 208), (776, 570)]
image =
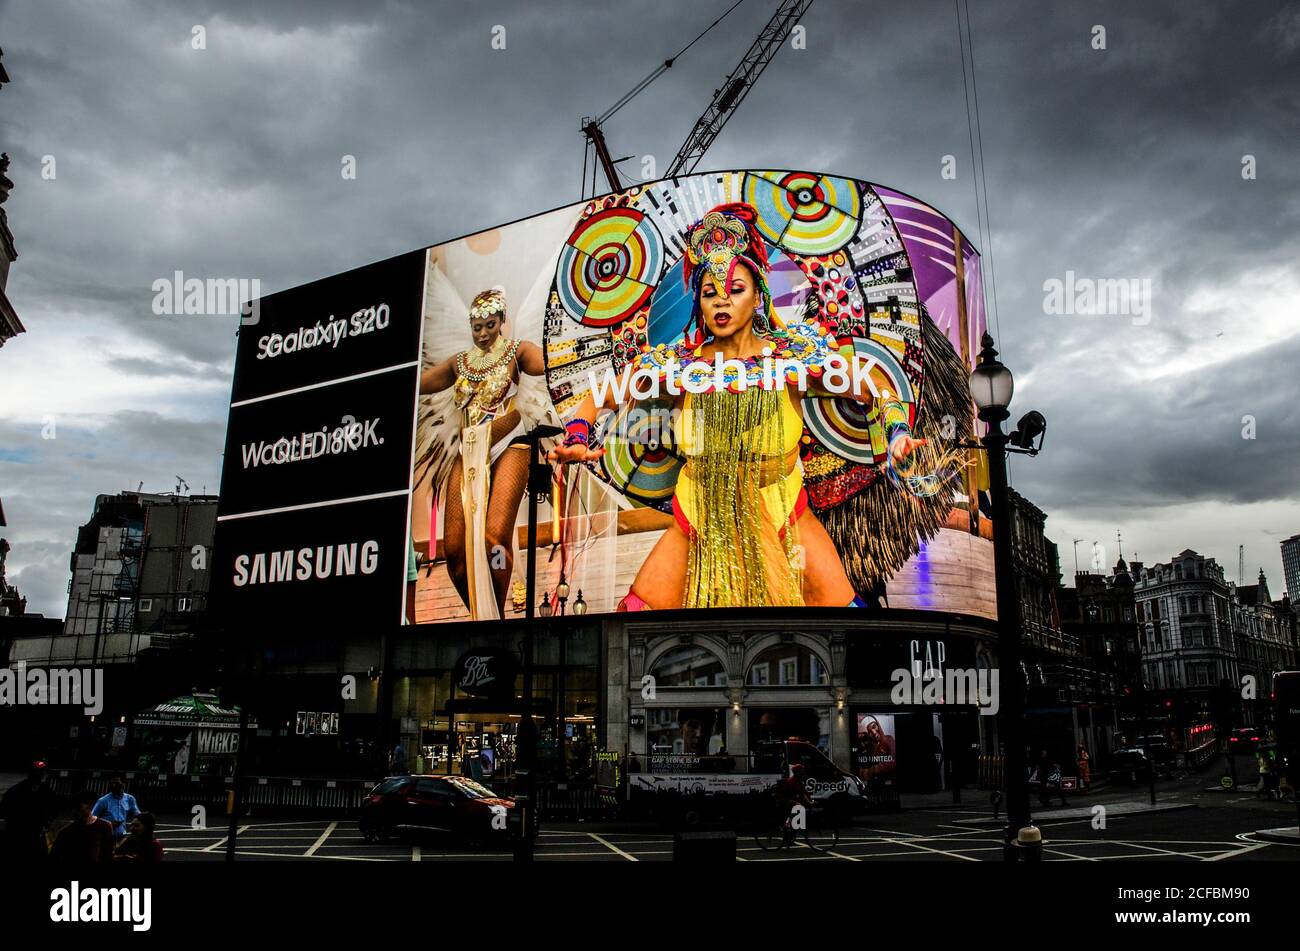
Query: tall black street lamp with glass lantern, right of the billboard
[(993, 387)]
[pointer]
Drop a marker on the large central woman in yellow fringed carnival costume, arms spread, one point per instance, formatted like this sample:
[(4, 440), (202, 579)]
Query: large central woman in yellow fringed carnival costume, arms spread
[(743, 533)]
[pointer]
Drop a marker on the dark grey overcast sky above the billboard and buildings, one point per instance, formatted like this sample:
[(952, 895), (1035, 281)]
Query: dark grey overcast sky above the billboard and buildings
[(1117, 163)]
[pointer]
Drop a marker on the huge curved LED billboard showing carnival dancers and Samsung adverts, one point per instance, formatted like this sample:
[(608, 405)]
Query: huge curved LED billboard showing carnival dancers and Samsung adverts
[(757, 379)]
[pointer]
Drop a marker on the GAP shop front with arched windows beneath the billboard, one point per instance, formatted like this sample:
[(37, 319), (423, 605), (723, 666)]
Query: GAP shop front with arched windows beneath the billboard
[(725, 700)]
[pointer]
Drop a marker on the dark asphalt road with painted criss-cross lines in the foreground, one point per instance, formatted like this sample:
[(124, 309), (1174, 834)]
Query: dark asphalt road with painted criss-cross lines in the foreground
[(1189, 826)]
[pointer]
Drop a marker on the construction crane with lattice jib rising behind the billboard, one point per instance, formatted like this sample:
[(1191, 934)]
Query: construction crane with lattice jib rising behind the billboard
[(726, 101)]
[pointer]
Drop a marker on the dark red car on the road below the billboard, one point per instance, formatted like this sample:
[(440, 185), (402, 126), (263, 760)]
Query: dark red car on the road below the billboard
[(453, 805)]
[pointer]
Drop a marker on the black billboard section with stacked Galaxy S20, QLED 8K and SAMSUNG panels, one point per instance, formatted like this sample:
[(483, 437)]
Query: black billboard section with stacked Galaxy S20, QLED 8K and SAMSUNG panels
[(315, 484)]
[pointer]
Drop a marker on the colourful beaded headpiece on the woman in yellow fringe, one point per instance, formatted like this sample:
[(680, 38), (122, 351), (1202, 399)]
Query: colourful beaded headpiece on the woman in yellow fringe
[(714, 246)]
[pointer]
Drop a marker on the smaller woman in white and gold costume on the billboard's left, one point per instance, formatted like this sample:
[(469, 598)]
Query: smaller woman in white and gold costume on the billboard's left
[(486, 399)]
